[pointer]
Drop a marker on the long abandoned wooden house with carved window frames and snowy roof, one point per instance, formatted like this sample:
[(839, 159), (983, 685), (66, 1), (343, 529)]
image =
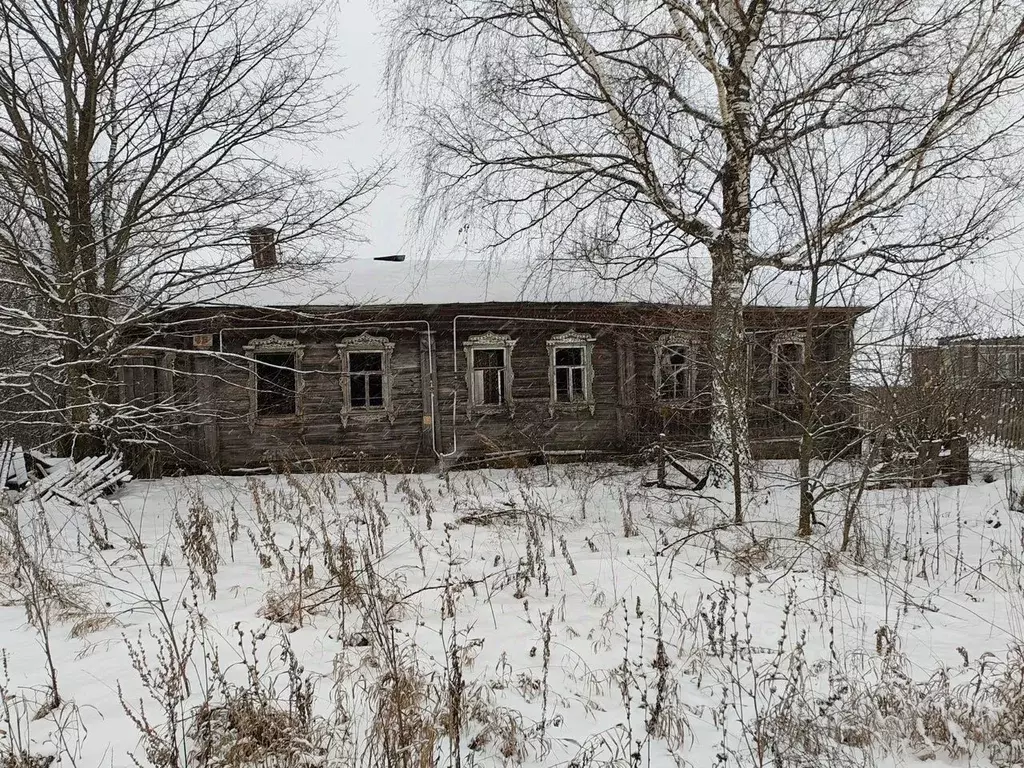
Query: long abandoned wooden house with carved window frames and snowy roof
[(396, 363)]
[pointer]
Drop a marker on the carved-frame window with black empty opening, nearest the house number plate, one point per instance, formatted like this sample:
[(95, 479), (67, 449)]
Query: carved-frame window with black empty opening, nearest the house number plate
[(275, 381)]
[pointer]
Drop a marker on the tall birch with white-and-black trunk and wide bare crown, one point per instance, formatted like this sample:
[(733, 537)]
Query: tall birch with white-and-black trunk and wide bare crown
[(622, 133)]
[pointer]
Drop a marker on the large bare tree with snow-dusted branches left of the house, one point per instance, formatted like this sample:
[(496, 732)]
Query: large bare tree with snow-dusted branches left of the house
[(140, 142)]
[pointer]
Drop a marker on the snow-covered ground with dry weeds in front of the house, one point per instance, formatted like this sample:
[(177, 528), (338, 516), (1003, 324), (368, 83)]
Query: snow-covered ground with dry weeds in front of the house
[(571, 616)]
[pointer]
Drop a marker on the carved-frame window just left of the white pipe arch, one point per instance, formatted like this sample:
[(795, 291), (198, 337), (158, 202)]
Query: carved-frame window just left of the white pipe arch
[(366, 376)]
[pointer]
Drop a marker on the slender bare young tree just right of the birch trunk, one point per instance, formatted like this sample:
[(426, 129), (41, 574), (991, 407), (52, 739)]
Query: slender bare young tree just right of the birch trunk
[(838, 271)]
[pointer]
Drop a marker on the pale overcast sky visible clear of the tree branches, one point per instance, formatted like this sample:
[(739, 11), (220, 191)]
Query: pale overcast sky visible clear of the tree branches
[(363, 50)]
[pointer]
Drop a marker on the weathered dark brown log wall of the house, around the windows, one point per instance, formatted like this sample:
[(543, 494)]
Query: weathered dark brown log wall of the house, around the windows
[(430, 392)]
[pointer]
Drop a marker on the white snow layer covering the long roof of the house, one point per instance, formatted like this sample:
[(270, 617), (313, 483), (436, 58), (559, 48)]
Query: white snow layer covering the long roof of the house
[(373, 283)]
